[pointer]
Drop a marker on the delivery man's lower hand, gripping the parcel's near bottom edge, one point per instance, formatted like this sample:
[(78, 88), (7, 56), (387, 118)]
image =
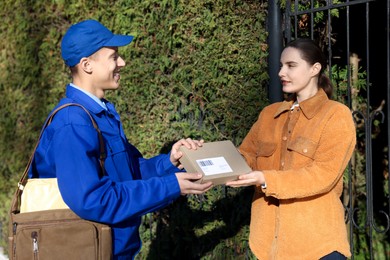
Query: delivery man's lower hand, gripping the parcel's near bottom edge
[(188, 186)]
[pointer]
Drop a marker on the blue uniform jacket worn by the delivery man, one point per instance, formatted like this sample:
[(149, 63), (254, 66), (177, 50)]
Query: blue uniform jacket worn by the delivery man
[(132, 186)]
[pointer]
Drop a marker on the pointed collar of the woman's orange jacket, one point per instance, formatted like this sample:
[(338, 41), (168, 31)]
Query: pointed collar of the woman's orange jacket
[(309, 107)]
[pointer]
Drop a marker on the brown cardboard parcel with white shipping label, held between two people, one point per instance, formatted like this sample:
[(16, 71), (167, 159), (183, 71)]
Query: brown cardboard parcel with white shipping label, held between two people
[(219, 162)]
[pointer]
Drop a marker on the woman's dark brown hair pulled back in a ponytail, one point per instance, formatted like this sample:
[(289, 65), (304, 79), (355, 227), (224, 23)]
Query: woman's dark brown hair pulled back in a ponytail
[(311, 53)]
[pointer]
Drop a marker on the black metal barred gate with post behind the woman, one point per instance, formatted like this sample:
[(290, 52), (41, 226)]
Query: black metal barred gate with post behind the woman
[(355, 36)]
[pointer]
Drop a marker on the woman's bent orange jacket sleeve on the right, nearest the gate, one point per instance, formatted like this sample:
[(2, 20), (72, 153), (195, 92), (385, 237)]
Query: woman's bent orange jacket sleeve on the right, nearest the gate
[(334, 150)]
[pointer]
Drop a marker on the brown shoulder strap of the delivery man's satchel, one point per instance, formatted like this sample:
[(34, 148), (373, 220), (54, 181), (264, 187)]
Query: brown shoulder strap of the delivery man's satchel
[(23, 180)]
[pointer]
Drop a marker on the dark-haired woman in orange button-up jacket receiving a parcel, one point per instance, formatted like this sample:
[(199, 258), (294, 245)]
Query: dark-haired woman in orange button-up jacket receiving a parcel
[(299, 150)]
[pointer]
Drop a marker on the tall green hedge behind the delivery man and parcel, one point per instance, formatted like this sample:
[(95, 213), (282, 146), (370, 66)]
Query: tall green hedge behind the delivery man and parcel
[(195, 69)]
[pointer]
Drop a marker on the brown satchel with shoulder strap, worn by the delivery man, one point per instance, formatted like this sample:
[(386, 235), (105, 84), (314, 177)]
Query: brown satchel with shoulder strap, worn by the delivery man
[(56, 233)]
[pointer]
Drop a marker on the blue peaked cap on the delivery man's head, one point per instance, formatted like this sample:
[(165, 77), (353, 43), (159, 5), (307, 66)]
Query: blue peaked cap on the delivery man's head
[(87, 37)]
